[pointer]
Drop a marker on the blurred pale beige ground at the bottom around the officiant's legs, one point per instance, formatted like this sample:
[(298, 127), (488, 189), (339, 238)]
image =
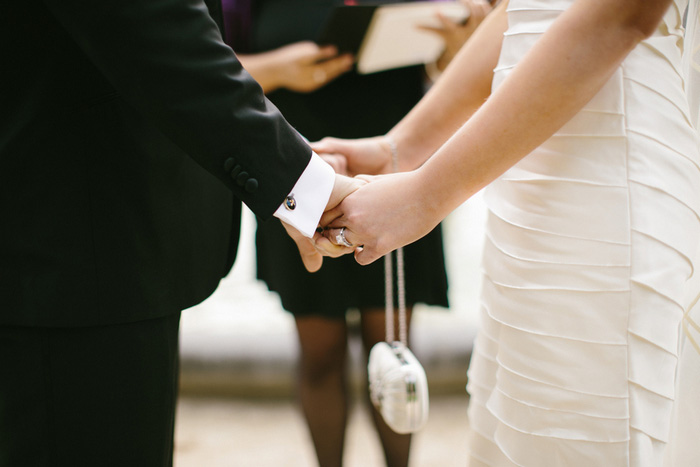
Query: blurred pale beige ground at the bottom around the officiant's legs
[(271, 433)]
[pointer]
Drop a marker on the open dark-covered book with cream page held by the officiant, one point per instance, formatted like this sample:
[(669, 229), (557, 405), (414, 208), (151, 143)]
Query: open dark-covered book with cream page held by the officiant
[(387, 36)]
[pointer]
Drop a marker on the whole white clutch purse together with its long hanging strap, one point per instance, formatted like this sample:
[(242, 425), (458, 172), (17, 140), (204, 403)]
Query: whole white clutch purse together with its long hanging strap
[(398, 386)]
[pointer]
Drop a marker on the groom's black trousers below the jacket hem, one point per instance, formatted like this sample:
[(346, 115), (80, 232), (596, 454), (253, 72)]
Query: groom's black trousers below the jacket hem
[(90, 396)]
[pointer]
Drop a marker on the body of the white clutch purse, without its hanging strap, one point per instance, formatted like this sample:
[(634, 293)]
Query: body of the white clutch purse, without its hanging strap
[(398, 387)]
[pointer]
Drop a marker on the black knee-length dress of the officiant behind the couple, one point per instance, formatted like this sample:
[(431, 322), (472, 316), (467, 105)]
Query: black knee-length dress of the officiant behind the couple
[(350, 107)]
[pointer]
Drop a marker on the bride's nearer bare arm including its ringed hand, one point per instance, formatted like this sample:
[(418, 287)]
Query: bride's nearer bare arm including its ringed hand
[(560, 74)]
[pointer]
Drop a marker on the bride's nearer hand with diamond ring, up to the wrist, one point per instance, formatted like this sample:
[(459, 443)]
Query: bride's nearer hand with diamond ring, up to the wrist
[(387, 213)]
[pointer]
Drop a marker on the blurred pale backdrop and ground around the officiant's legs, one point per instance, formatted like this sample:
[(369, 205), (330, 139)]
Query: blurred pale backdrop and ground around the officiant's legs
[(239, 350)]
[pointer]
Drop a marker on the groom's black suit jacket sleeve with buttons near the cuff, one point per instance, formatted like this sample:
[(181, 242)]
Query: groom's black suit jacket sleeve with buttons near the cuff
[(167, 59)]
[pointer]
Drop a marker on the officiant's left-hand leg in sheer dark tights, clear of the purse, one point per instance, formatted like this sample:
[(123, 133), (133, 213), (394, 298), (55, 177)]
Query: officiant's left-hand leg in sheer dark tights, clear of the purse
[(322, 384)]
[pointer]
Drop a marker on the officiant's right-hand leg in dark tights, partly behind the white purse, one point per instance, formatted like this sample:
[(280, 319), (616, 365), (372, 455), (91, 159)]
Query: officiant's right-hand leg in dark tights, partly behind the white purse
[(396, 446)]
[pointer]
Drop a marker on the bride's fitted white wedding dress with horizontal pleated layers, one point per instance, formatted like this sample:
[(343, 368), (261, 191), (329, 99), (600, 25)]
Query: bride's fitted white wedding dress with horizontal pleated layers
[(589, 246)]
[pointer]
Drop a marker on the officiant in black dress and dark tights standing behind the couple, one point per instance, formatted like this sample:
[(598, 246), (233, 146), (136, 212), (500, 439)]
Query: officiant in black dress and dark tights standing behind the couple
[(320, 94)]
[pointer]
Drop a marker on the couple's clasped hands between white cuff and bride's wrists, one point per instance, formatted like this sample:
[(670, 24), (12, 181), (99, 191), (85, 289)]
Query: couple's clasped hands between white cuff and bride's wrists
[(374, 214)]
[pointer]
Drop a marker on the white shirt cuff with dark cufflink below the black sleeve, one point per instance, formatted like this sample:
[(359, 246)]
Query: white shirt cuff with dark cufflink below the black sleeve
[(303, 207)]
